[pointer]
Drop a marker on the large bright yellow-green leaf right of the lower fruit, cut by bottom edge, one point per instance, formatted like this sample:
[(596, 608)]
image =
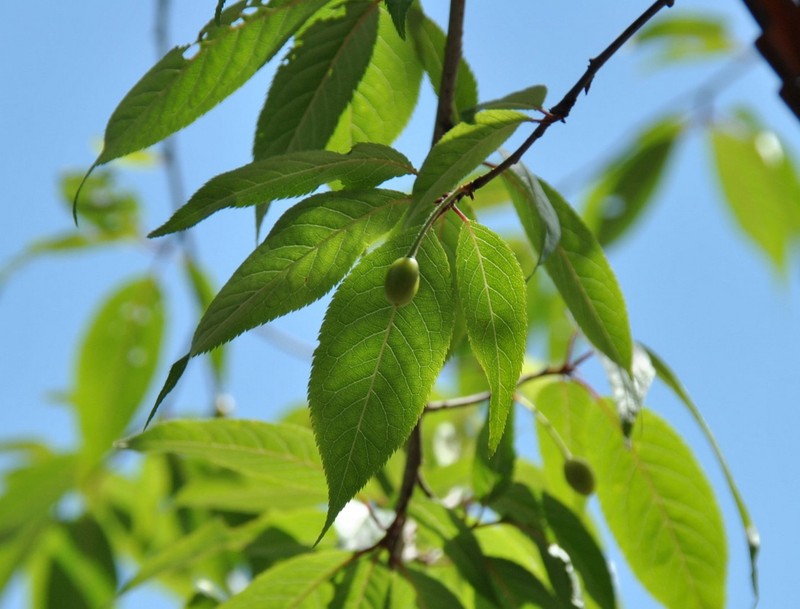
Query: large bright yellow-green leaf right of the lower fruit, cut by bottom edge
[(661, 510)]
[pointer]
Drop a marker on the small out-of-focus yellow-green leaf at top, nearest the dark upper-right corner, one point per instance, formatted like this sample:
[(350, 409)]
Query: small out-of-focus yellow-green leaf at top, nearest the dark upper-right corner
[(686, 35)]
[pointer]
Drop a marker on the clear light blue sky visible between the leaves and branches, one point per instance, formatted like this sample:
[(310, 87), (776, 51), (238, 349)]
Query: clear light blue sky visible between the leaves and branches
[(697, 291)]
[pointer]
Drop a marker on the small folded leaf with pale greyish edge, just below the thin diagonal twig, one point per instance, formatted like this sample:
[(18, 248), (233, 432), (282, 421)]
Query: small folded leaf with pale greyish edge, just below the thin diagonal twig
[(536, 214)]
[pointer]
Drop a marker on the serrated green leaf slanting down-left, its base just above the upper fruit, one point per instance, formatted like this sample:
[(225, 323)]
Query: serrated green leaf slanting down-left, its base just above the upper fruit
[(307, 252)]
